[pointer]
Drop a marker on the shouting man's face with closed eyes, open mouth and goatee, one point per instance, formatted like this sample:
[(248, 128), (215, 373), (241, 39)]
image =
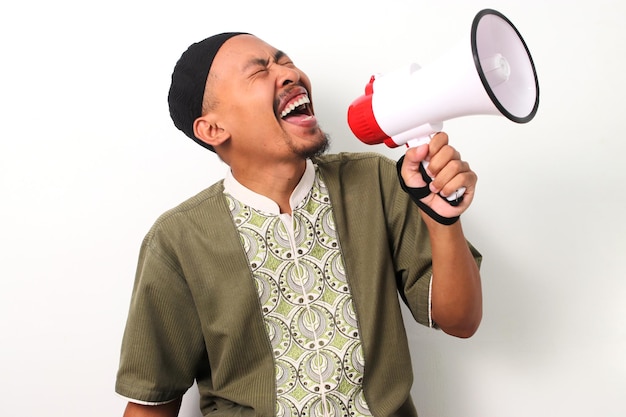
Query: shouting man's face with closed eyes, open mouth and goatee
[(263, 100)]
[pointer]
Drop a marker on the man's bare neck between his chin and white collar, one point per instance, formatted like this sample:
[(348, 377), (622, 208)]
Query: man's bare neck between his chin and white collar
[(276, 182)]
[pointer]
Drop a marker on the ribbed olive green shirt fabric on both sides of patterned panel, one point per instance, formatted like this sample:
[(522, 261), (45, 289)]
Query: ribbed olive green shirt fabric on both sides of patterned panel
[(195, 313)]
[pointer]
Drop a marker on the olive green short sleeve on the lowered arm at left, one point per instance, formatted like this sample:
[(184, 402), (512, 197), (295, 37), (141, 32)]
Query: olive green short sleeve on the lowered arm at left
[(162, 347)]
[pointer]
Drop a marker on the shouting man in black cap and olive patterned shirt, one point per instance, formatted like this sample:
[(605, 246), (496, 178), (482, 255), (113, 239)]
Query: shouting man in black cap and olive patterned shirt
[(276, 290)]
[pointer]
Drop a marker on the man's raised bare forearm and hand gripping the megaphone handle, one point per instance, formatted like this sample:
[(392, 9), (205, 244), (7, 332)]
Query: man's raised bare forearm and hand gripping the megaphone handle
[(456, 288)]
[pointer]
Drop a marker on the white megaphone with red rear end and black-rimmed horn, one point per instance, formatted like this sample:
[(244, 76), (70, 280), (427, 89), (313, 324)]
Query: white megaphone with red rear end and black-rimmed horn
[(494, 75)]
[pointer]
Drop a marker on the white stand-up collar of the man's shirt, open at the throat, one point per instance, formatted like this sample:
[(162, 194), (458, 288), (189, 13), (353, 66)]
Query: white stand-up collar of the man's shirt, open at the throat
[(264, 204)]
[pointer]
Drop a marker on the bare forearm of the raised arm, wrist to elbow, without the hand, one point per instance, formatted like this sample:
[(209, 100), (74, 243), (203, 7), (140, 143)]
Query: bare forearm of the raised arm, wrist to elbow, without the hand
[(456, 287)]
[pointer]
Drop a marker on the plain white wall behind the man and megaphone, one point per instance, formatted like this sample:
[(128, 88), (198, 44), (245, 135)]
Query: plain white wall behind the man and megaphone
[(89, 158)]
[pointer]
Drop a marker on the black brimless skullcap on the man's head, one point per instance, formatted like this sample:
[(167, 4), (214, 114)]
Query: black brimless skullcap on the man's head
[(189, 80)]
